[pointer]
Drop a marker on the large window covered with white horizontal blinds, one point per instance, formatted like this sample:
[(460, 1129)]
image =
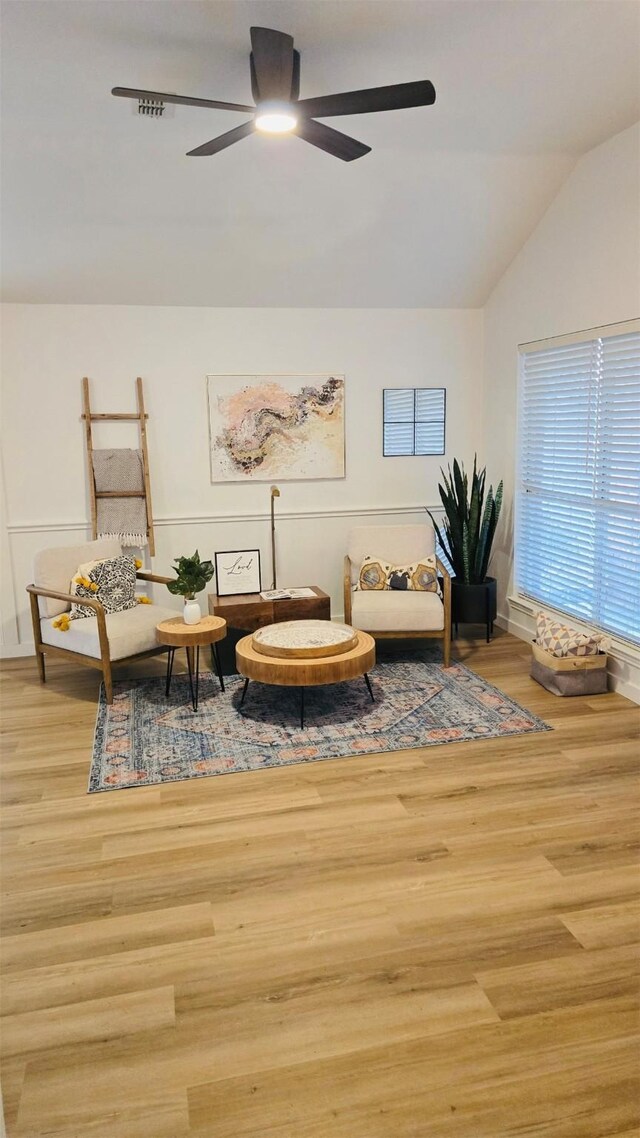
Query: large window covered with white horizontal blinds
[(578, 505)]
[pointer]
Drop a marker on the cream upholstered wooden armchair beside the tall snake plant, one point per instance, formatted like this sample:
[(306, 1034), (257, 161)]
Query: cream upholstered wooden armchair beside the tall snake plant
[(393, 613)]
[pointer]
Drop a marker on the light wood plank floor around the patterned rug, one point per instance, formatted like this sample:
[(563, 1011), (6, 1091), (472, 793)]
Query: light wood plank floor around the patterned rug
[(429, 944)]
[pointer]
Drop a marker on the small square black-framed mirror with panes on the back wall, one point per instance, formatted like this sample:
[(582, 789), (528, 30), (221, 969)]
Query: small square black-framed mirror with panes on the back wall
[(414, 420)]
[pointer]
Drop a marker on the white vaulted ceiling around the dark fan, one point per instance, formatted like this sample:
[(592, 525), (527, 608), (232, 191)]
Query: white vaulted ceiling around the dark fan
[(101, 207)]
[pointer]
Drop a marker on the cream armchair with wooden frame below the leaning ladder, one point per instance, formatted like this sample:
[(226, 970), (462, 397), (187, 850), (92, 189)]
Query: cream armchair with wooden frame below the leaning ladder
[(100, 641)]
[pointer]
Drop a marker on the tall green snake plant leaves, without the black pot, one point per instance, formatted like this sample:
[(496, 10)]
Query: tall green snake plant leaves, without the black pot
[(470, 524)]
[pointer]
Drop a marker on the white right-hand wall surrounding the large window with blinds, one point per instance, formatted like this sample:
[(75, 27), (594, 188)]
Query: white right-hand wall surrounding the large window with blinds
[(580, 269)]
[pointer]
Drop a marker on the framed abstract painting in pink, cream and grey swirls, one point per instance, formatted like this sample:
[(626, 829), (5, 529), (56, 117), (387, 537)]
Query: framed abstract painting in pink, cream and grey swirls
[(276, 428)]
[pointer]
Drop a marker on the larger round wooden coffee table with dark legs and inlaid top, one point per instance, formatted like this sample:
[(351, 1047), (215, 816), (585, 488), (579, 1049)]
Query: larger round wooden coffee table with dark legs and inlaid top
[(289, 658)]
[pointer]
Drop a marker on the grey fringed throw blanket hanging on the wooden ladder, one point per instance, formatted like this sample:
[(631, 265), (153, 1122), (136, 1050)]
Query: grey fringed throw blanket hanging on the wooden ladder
[(122, 518)]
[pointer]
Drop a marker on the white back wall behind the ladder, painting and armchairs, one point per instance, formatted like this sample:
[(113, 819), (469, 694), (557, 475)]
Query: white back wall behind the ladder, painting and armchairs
[(47, 349)]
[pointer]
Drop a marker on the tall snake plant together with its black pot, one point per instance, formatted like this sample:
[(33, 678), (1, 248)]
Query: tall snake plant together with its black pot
[(467, 538)]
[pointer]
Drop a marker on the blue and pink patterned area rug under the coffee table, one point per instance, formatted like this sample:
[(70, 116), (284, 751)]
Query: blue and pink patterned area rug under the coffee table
[(144, 738)]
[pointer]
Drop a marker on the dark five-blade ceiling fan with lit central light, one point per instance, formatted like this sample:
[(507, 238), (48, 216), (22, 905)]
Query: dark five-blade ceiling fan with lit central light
[(275, 78)]
